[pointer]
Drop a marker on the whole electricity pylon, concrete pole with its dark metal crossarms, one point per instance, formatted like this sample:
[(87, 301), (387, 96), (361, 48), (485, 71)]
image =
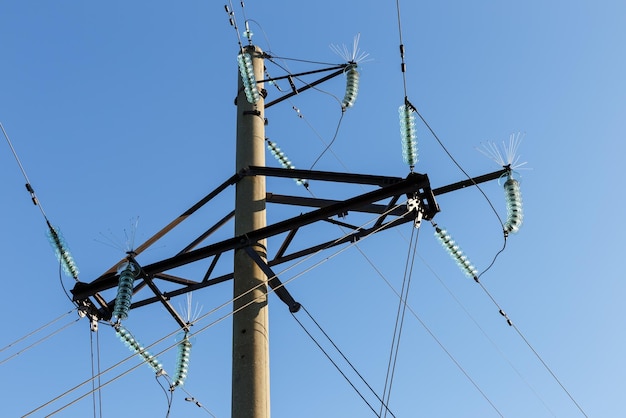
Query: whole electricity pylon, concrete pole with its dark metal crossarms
[(253, 276)]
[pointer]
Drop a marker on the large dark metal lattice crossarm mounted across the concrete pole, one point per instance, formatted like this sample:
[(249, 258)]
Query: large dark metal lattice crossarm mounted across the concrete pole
[(391, 190)]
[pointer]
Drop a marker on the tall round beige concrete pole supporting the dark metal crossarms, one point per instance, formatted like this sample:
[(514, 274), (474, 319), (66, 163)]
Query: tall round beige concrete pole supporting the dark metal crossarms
[(250, 386)]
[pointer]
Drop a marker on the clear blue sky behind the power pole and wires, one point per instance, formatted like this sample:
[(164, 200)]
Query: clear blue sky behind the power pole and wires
[(124, 110)]
